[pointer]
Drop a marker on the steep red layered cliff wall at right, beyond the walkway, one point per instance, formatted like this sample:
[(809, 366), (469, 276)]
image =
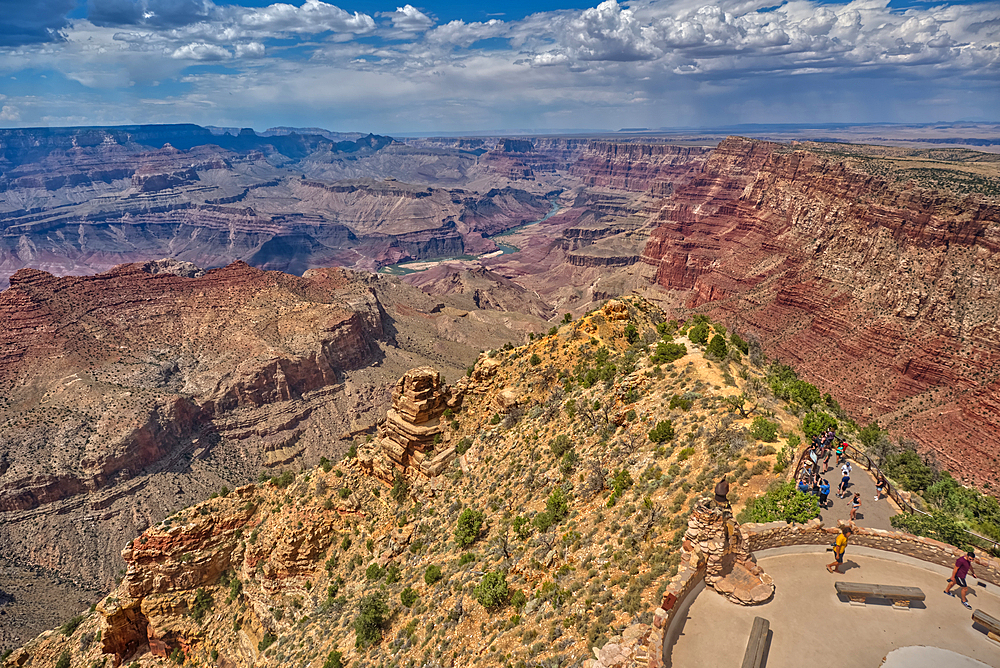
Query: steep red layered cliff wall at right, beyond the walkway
[(873, 274)]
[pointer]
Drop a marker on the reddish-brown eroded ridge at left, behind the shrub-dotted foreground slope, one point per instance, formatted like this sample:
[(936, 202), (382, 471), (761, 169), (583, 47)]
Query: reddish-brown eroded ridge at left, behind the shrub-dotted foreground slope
[(131, 393)]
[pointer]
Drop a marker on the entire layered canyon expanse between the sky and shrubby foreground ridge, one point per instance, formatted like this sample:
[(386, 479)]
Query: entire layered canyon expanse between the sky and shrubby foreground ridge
[(185, 308)]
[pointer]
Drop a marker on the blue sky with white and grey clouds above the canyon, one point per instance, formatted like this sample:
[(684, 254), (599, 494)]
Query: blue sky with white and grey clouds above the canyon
[(458, 66)]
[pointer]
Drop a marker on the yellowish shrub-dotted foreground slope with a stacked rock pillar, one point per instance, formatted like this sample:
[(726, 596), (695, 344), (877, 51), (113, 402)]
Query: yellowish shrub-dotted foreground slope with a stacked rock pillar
[(550, 489)]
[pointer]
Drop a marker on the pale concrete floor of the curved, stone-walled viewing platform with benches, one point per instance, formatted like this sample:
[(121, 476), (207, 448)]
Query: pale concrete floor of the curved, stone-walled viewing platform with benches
[(812, 626)]
